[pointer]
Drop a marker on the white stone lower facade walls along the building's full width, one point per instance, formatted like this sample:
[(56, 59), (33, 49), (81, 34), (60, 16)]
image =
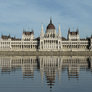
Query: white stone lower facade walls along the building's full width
[(46, 44)]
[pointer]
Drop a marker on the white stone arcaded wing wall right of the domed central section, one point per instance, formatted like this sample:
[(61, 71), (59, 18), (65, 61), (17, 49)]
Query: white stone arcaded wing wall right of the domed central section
[(75, 45)]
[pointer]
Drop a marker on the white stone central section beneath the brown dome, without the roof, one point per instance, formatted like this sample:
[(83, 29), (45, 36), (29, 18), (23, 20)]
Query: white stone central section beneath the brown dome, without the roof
[(51, 41)]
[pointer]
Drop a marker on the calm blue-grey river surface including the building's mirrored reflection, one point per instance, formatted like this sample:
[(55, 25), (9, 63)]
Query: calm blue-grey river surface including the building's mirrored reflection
[(45, 74)]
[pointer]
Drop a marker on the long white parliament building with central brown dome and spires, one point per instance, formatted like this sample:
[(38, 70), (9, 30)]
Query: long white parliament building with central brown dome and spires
[(48, 41)]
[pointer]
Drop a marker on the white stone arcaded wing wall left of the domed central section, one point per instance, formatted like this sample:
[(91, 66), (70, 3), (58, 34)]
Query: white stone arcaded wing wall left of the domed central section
[(18, 45)]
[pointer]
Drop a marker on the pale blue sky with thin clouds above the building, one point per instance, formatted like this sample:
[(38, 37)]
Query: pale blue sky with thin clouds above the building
[(16, 15)]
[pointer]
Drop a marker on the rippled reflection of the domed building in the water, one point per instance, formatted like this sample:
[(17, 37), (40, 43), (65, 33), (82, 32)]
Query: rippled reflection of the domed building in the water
[(49, 66)]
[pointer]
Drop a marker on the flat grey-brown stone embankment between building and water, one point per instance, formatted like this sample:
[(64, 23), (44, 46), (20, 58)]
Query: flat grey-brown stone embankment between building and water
[(45, 53)]
